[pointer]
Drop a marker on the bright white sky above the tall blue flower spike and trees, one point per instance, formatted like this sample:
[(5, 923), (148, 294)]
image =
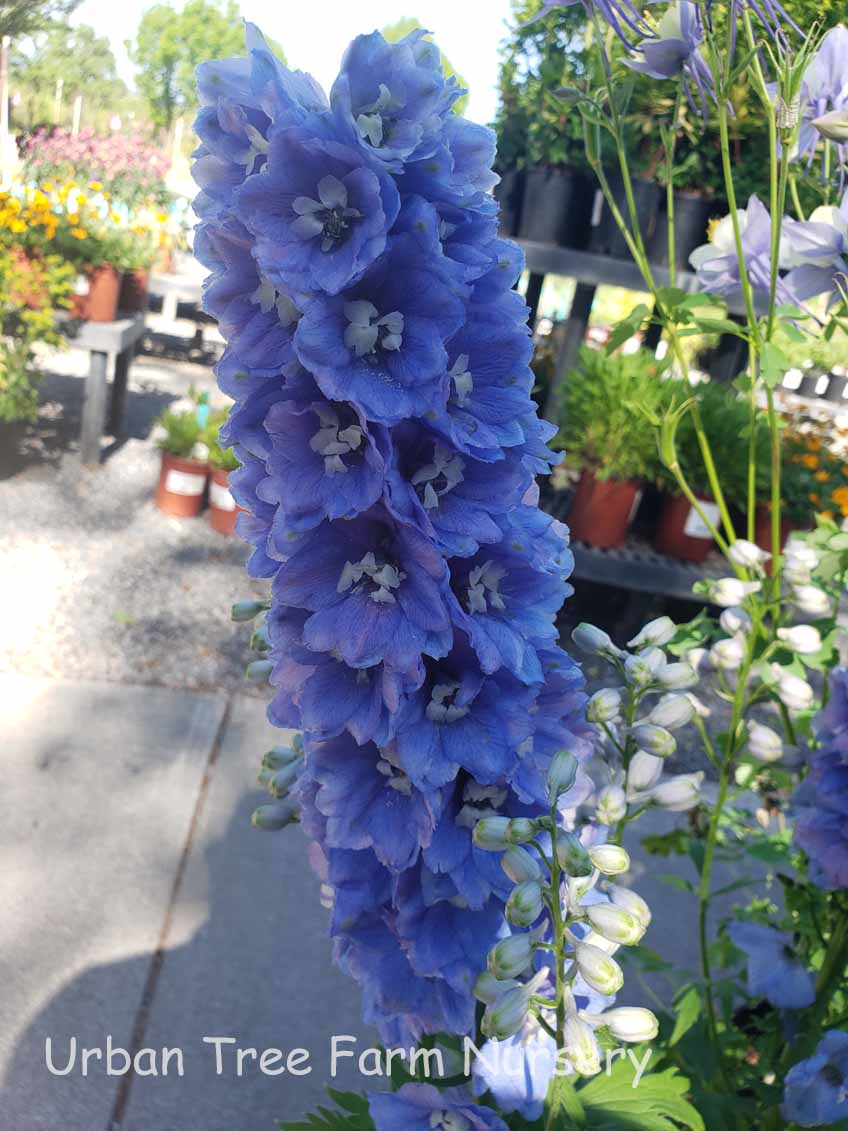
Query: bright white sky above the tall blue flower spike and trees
[(315, 33)]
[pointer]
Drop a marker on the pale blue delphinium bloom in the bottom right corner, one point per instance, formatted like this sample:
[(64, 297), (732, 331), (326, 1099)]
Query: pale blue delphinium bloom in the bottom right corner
[(817, 1089)]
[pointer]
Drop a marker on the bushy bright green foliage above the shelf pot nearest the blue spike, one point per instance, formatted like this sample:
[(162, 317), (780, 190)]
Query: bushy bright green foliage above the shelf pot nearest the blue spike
[(609, 402)]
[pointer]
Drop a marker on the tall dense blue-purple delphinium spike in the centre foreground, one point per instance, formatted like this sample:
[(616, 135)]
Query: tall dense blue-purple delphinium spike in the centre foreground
[(379, 362)]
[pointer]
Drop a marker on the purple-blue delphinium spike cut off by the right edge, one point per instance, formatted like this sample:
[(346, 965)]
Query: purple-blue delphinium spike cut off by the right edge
[(821, 800)]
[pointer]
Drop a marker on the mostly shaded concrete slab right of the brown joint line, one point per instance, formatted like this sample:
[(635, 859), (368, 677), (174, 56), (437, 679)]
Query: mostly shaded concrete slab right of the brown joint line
[(257, 969)]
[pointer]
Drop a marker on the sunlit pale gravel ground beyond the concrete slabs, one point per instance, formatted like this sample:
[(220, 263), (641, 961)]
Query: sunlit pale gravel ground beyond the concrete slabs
[(97, 583)]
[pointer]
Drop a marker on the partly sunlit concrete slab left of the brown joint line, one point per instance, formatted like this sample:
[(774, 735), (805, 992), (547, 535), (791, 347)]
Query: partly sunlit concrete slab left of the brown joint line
[(100, 784)]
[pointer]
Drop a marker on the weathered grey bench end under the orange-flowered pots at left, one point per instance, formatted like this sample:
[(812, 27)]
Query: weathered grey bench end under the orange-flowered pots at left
[(103, 341)]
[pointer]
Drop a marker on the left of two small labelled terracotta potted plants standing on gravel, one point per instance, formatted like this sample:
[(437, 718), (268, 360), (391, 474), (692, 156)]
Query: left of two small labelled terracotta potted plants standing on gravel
[(185, 461)]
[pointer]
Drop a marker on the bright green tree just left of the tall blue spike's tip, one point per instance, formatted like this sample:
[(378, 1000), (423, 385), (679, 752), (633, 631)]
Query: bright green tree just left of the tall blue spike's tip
[(170, 45)]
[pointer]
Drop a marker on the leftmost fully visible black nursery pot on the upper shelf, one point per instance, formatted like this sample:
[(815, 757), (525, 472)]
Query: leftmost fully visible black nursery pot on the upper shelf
[(557, 208)]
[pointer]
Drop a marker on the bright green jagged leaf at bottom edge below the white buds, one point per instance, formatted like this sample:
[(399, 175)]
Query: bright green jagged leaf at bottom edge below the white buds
[(657, 1103)]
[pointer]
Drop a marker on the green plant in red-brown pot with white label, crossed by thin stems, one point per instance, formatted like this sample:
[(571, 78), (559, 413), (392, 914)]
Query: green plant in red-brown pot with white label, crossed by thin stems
[(681, 531)]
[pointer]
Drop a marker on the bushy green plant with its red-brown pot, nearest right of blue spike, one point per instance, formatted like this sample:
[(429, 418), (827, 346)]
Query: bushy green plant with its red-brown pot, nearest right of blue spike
[(608, 435)]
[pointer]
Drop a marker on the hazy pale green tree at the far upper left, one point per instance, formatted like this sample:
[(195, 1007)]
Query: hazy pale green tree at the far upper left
[(79, 59)]
